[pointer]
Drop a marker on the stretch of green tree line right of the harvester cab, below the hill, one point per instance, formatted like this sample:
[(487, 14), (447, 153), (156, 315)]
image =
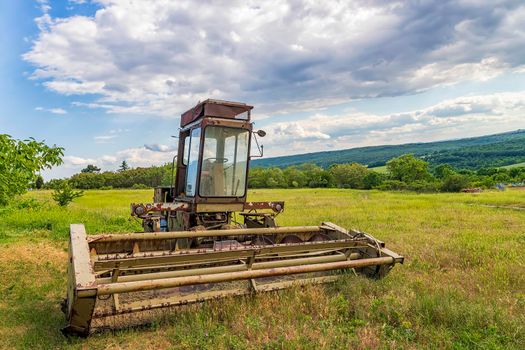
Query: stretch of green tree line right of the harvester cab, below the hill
[(406, 172)]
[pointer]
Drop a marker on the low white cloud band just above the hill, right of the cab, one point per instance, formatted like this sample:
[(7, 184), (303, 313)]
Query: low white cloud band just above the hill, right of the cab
[(474, 115)]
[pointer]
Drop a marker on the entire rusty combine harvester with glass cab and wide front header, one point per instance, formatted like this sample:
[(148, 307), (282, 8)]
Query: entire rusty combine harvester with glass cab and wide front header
[(203, 240)]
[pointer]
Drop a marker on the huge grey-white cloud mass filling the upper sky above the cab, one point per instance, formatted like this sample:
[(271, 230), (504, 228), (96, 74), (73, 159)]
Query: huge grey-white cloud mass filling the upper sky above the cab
[(161, 57)]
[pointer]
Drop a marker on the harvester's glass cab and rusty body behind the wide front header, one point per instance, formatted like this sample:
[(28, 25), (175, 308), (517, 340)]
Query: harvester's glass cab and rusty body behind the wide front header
[(210, 181)]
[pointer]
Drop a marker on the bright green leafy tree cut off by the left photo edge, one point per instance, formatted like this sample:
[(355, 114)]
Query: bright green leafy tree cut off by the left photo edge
[(20, 162)]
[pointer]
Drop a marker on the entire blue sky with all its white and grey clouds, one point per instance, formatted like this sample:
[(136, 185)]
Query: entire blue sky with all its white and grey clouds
[(108, 79)]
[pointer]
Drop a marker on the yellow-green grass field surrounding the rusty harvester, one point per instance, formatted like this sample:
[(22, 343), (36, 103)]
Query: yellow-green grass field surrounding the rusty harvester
[(462, 285)]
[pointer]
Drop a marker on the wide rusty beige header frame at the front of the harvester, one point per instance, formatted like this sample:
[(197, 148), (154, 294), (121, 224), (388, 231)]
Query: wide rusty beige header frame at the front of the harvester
[(108, 272)]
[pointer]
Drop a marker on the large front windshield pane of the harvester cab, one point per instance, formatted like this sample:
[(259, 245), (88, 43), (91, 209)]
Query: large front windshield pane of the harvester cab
[(224, 162)]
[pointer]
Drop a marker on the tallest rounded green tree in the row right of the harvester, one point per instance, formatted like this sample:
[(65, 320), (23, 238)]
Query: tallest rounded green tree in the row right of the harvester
[(408, 168)]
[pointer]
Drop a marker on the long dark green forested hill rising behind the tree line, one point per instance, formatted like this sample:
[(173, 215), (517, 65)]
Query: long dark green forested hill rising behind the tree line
[(470, 153)]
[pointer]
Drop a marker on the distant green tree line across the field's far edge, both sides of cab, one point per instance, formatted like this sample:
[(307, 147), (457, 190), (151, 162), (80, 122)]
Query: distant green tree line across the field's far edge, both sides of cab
[(406, 172)]
